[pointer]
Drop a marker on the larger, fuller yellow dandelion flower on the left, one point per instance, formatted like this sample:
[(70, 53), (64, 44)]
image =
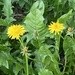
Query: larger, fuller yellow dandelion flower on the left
[(15, 31)]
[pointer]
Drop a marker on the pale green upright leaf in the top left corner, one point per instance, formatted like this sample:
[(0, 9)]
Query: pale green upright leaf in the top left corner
[(7, 11)]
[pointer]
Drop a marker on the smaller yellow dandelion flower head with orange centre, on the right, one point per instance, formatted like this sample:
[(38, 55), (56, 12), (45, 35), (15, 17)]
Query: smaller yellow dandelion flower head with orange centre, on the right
[(56, 27)]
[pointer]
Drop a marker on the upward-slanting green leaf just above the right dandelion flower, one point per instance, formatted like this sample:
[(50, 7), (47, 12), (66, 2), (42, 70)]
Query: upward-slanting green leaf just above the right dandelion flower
[(65, 17)]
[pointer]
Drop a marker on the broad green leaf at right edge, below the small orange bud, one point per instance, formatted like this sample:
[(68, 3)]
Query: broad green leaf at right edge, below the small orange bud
[(69, 45)]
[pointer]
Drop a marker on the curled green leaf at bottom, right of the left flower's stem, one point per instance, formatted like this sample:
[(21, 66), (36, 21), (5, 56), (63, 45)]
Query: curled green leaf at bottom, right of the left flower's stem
[(48, 60)]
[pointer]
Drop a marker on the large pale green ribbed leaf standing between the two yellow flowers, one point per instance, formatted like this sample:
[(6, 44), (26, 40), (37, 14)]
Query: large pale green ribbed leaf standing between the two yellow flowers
[(34, 21)]
